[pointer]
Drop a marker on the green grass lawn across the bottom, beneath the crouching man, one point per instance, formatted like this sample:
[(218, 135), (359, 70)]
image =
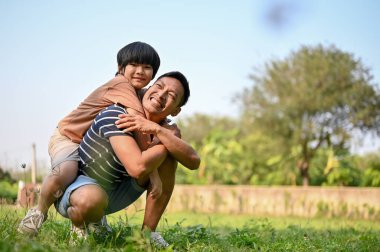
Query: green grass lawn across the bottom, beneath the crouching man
[(200, 232)]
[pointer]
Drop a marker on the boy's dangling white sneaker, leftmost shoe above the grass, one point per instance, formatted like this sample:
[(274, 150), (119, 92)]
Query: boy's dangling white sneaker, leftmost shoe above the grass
[(32, 222)]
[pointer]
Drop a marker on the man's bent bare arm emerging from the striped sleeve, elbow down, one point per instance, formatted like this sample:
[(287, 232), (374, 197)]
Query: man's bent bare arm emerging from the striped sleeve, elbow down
[(137, 163)]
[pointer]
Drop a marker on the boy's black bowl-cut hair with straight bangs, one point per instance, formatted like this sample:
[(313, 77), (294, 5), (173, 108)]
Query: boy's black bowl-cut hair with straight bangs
[(139, 53)]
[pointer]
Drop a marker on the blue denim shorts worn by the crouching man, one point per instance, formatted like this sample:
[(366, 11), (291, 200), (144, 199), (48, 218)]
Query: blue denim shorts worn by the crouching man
[(126, 192)]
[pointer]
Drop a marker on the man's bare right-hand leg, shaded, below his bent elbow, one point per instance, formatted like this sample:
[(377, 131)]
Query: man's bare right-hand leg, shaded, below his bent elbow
[(154, 208)]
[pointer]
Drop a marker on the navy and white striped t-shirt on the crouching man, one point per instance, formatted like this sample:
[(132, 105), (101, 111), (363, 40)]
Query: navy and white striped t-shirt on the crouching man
[(97, 158)]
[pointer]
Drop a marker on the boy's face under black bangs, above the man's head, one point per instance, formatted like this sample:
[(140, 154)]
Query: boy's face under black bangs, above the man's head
[(139, 74)]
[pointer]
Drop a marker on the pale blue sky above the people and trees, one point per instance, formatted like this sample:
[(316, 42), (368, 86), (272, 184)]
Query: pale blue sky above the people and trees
[(54, 53)]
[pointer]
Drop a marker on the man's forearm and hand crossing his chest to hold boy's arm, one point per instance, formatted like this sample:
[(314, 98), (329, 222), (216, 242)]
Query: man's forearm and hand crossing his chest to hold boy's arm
[(178, 148)]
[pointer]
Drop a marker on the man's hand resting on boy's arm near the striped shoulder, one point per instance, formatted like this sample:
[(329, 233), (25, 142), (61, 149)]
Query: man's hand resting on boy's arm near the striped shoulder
[(131, 123)]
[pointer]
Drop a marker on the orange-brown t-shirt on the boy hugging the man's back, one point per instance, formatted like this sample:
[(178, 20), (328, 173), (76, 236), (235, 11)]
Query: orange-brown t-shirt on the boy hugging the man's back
[(117, 90)]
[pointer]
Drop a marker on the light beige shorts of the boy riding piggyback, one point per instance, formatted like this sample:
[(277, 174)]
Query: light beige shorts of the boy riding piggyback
[(62, 149)]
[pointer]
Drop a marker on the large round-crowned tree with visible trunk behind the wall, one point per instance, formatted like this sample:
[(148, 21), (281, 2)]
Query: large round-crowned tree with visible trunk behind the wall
[(315, 97)]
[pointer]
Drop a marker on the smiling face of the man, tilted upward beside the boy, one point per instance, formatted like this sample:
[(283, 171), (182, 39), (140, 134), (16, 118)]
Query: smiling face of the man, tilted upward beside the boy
[(163, 98)]
